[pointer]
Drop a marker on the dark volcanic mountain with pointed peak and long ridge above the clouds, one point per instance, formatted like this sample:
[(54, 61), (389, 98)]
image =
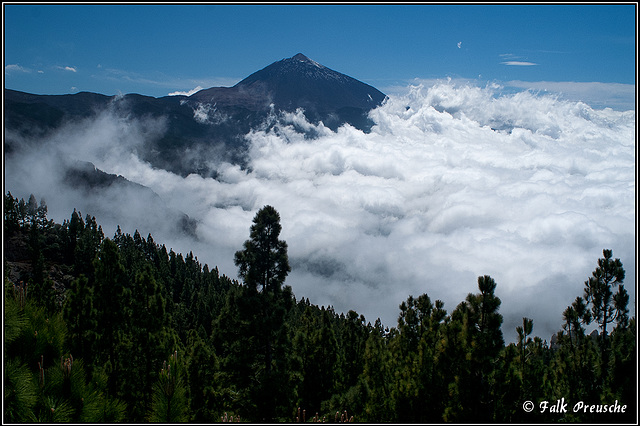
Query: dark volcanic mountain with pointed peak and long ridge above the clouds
[(211, 122)]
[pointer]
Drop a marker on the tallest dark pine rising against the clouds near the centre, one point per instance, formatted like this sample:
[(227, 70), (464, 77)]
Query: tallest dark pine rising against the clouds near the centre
[(257, 352)]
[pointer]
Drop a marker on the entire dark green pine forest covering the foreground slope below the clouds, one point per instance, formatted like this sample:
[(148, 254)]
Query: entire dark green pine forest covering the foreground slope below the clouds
[(93, 348)]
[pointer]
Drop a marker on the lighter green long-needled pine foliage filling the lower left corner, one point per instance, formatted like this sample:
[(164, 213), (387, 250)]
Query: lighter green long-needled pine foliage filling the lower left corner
[(51, 386)]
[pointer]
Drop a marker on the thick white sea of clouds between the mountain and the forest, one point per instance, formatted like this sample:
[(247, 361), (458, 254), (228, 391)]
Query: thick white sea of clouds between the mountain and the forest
[(454, 181)]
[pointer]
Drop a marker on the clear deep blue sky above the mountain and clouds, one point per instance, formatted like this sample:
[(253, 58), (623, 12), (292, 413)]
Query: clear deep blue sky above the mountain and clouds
[(159, 49)]
